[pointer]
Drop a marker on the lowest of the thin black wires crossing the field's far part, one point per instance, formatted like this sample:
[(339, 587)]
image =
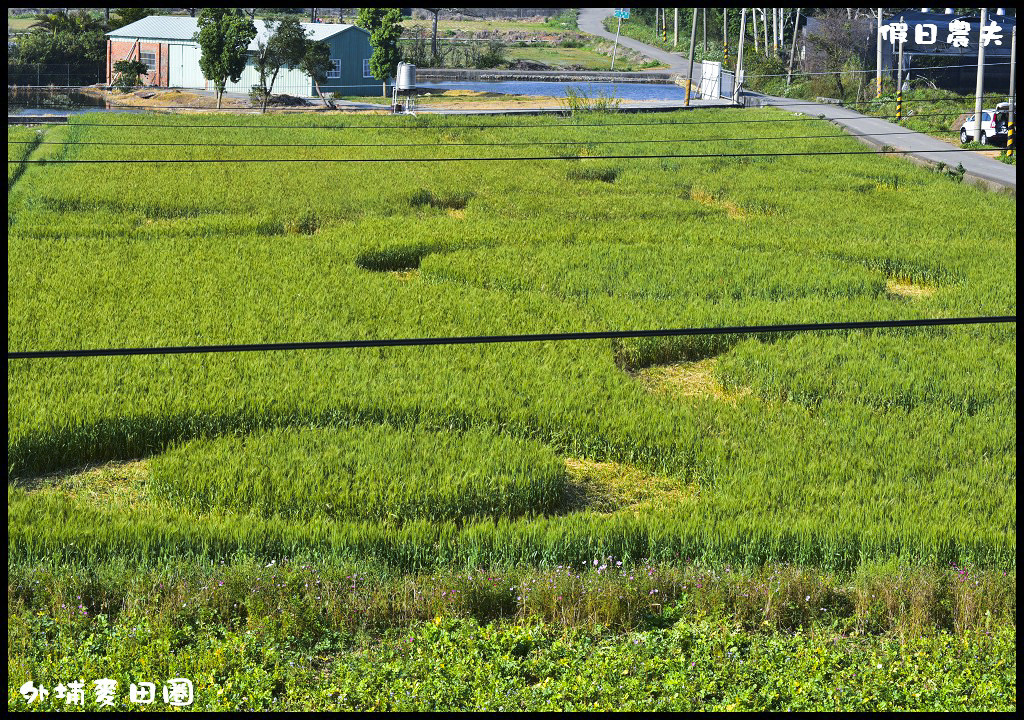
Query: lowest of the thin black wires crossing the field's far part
[(252, 161)]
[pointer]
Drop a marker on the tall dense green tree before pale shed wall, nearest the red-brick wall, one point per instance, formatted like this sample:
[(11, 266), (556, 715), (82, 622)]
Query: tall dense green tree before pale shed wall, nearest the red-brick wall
[(224, 40)]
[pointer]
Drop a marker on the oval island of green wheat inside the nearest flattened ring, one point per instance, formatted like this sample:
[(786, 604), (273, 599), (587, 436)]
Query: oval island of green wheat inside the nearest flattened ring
[(364, 473)]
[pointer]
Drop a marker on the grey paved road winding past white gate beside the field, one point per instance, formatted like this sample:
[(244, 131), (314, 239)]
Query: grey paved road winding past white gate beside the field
[(924, 148)]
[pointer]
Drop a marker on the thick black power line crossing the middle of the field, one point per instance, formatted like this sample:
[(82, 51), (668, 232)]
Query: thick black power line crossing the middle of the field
[(491, 340)]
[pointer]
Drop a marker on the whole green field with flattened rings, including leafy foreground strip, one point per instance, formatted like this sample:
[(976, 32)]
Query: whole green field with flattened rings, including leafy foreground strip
[(819, 521)]
